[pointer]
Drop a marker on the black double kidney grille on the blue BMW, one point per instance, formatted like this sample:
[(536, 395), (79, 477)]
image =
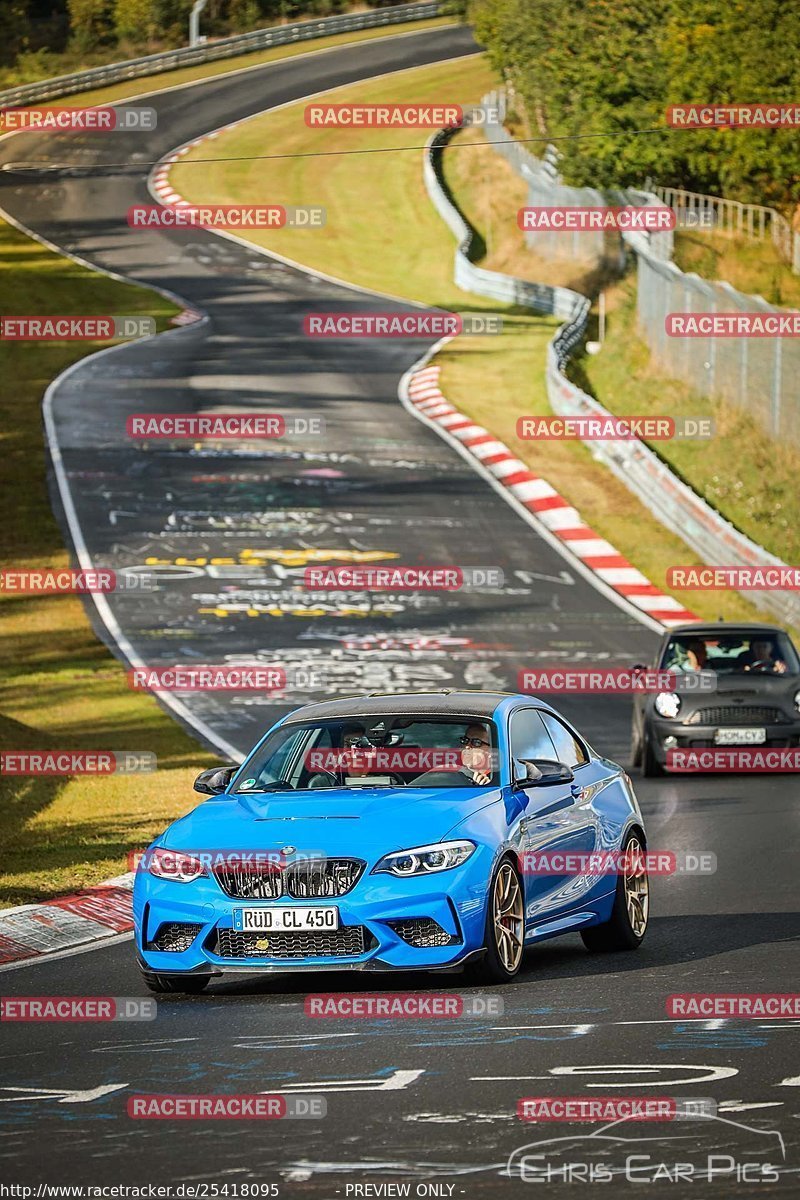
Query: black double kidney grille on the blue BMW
[(318, 879)]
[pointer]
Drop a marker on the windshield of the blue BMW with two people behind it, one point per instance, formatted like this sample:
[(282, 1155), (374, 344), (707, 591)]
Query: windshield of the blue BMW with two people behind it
[(375, 752)]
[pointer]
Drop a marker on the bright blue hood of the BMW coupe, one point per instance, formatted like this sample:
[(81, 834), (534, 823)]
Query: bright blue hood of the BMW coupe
[(340, 821)]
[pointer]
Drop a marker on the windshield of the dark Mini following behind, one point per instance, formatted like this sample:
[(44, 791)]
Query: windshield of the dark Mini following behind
[(767, 652)]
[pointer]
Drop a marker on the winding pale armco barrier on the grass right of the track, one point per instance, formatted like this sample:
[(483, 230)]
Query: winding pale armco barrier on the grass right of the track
[(641, 470)]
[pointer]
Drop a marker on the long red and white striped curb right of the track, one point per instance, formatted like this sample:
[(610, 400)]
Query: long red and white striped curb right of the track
[(545, 503)]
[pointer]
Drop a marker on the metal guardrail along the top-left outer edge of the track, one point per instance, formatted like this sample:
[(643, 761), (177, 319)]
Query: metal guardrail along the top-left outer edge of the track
[(210, 52)]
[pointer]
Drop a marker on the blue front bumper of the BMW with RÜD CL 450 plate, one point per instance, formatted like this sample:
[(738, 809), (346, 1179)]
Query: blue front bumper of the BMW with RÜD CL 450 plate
[(456, 901)]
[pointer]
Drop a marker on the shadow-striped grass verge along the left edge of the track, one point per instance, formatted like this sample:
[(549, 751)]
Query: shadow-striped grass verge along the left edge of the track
[(63, 689)]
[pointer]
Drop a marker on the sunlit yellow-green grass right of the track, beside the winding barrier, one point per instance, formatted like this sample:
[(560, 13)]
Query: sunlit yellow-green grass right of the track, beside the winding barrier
[(383, 233)]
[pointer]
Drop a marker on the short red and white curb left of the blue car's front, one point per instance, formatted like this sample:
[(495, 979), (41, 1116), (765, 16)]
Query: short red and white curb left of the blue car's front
[(68, 922)]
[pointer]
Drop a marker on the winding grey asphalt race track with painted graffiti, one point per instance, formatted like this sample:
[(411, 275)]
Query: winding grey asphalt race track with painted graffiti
[(426, 1102)]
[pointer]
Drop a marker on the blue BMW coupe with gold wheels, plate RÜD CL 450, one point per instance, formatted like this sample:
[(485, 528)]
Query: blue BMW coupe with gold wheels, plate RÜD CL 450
[(395, 833)]
